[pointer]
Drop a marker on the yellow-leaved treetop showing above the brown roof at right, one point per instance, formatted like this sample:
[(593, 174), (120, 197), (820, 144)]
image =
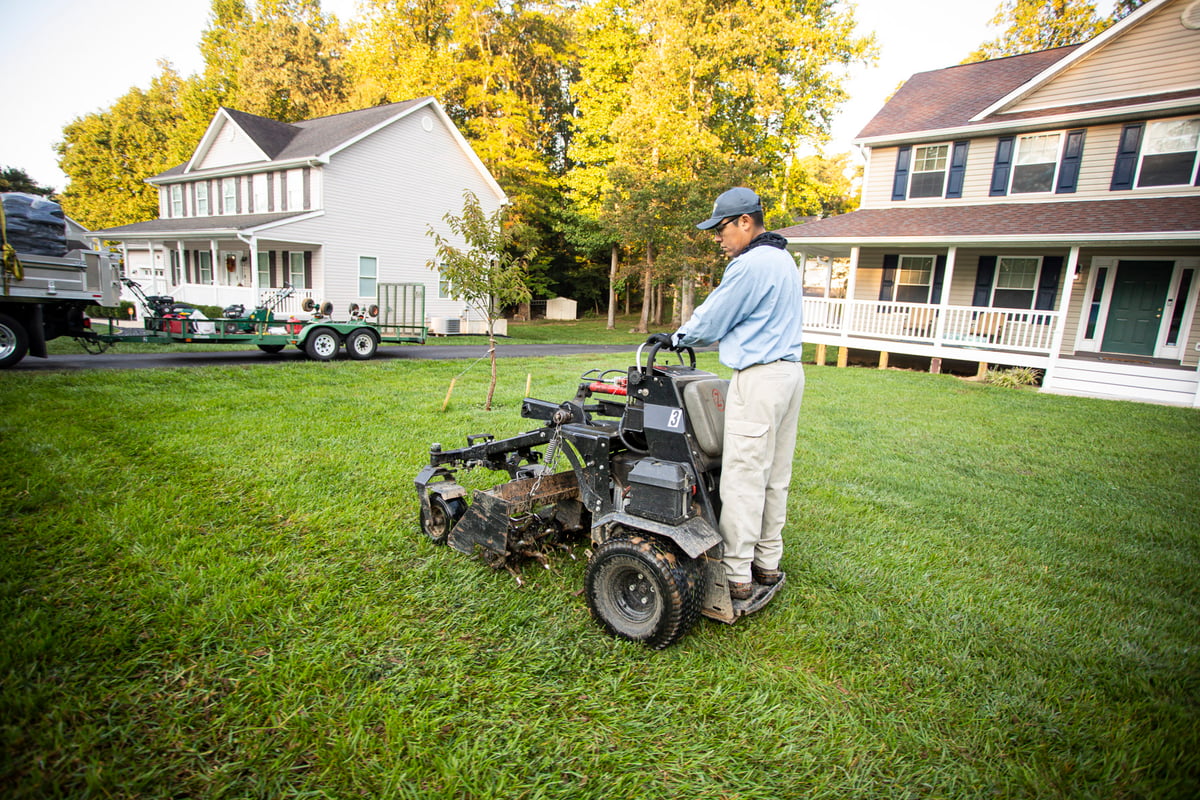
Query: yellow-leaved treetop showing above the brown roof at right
[(1033, 26)]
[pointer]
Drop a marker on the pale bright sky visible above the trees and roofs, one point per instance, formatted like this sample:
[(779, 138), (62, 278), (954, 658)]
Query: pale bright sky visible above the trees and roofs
[(64, 59)]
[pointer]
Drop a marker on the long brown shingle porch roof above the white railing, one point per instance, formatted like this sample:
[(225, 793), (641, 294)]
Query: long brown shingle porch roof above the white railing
[(1169, 215)]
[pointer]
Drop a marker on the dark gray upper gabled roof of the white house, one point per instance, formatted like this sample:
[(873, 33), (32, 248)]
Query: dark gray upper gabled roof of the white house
[(283, 142)]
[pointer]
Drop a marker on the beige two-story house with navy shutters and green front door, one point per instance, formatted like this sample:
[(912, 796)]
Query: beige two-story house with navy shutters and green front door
[(1040, 210)]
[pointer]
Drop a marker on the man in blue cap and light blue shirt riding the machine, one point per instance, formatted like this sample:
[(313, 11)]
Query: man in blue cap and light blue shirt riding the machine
[(757, 316)]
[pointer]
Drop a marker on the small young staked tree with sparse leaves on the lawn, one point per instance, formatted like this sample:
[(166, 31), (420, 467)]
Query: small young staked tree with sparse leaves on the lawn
[(485, 272)]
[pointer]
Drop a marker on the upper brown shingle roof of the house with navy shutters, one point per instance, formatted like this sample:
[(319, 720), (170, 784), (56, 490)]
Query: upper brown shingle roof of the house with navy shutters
[(951, 98)]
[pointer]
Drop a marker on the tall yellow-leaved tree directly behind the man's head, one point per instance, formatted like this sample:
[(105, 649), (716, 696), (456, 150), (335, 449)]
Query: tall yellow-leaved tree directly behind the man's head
[(695, 97)]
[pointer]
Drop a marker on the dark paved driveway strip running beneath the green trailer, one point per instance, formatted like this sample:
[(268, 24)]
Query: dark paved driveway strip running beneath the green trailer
[(118, 360)]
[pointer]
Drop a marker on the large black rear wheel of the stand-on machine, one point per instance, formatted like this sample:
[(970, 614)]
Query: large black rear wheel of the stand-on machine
[(644, 591)]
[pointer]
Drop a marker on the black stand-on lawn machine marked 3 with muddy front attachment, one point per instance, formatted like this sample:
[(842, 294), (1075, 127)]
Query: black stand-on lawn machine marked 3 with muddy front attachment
[(644, 452)]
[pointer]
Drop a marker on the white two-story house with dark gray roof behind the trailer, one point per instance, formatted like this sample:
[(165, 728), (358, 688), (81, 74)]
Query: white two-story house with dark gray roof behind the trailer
[(329, 207)]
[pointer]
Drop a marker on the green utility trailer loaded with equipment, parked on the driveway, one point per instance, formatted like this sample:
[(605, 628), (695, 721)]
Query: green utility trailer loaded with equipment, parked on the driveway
[(398, 317)]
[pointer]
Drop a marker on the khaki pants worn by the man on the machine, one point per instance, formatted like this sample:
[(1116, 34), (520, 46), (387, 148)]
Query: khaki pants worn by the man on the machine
[(761, 414)]
